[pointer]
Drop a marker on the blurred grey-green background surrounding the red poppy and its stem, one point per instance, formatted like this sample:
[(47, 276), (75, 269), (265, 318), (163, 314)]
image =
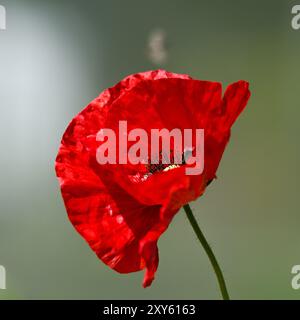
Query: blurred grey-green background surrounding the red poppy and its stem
[(56, 56)]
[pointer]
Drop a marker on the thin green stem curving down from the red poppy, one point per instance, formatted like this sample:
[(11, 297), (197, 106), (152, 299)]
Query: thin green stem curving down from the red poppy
[(208, 251)]
